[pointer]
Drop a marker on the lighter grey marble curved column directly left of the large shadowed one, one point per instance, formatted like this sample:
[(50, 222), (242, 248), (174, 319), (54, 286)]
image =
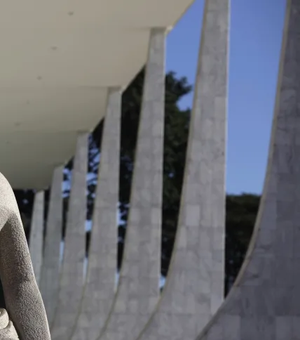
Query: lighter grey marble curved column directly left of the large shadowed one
[(194, 286)]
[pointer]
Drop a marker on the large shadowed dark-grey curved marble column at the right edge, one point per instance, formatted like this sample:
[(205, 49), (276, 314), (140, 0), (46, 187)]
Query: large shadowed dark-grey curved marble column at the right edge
[(264, 301)]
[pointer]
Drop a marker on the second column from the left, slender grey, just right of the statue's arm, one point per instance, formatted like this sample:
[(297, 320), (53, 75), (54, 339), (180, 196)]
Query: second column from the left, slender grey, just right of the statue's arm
[(50, 270)]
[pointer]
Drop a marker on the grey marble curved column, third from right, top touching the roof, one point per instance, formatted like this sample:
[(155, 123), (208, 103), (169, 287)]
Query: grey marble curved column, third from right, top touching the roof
[(138, 289)]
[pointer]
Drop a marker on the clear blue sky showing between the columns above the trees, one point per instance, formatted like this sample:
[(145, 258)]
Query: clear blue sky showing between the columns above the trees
[(255, 42)]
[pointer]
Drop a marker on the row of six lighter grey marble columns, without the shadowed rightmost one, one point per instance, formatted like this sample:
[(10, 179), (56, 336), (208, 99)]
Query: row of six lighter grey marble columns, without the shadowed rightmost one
[(89, 308)]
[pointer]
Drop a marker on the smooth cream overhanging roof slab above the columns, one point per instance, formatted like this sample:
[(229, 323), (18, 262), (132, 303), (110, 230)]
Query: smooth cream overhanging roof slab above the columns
[(58, 60)]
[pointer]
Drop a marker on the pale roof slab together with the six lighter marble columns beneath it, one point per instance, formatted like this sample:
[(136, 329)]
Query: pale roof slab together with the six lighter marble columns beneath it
[(65, 71)]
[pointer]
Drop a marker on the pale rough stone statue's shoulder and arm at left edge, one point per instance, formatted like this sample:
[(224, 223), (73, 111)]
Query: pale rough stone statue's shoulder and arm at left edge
[(25, 318)]
